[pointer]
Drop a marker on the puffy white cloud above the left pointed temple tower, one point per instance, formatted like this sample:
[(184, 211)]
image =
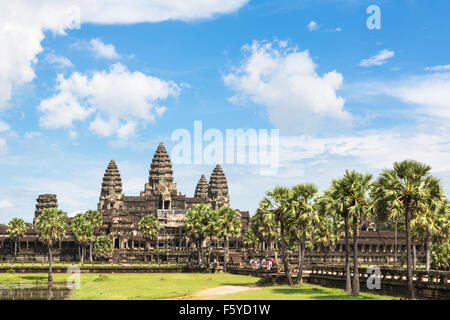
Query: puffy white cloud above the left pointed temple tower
[(118, 98)]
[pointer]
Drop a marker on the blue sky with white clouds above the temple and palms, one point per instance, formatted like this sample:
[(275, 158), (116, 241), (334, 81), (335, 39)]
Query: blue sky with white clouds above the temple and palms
[(80, 85)]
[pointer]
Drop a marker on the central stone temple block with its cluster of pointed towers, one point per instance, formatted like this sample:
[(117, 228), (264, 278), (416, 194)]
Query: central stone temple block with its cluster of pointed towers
[(160, 197)]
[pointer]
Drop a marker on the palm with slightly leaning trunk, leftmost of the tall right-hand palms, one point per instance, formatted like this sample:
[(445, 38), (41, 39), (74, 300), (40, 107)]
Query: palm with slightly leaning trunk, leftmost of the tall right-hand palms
[(276, 207)]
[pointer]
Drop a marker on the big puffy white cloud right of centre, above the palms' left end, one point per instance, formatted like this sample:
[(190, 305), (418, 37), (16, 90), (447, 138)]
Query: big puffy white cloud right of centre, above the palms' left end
[(285, 81)]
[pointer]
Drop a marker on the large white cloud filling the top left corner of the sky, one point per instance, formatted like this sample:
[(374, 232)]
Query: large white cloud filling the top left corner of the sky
[(23, 23)]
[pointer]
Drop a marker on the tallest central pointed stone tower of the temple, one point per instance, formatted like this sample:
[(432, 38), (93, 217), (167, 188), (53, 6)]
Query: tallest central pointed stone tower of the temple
[(160, 180)]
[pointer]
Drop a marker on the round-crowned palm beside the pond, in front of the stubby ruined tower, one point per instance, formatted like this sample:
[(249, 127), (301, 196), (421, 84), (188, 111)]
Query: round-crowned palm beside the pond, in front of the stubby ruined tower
[(51, 225)]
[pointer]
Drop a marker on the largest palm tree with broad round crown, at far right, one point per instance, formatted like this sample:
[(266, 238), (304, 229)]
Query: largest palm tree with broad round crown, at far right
[(404, 191)]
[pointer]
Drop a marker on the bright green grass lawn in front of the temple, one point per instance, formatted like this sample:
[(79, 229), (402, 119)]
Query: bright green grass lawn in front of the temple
[(181, 285)]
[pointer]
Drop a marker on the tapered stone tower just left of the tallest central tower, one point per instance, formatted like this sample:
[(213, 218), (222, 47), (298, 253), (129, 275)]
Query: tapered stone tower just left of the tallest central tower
[(111, 196)]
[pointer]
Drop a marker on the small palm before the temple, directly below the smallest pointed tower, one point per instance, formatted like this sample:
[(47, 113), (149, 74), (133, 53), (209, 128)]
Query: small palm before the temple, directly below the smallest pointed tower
[(196, 225)]
